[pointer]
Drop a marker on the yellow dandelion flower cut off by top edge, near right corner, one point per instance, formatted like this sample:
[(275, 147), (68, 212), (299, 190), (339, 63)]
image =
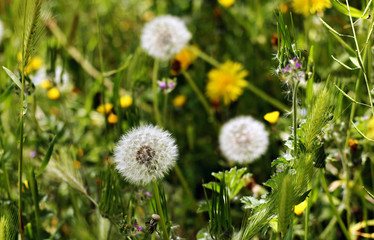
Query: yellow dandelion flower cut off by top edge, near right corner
[(307, 7)]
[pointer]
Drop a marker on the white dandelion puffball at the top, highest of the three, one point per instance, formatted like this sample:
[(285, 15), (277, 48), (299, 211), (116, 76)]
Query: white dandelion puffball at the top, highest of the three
[(164, 36)]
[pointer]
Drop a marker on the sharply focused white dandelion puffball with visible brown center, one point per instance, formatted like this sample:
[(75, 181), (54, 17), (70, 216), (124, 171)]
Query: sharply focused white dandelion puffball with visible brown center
[(144, 154)]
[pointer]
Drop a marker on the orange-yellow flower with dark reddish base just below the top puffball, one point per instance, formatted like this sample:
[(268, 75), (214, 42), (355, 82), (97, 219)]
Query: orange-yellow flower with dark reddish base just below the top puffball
[(183, 60)]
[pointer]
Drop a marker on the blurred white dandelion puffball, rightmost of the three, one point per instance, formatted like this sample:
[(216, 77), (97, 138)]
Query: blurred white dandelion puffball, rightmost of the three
[(243, 139)]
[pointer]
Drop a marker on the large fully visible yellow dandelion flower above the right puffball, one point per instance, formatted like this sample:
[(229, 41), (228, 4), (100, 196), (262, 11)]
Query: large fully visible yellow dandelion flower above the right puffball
[(227, 82)]
